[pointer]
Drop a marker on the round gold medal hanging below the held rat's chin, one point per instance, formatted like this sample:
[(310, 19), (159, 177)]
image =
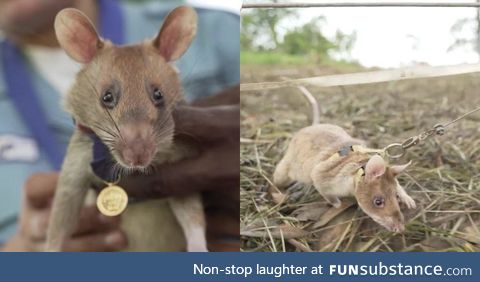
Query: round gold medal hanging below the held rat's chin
[(112, 200)]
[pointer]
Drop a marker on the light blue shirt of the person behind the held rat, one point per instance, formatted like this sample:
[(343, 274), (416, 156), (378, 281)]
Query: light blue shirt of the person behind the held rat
[(210, 65)]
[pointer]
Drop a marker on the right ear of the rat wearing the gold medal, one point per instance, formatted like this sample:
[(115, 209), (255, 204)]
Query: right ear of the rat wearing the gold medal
[(177, 32)]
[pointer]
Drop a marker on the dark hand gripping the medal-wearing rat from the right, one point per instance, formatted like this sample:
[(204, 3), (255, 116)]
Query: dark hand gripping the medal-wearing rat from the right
[(214, 123)]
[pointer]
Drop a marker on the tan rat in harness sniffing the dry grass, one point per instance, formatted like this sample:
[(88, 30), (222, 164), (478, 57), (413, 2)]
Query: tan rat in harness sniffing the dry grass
[(337, 165)]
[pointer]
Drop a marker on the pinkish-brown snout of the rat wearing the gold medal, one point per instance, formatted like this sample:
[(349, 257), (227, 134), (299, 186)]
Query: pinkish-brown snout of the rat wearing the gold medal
[(137, 144)]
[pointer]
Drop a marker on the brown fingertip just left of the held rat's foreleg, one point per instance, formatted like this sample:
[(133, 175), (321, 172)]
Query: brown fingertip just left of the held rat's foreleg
[(40, 188)]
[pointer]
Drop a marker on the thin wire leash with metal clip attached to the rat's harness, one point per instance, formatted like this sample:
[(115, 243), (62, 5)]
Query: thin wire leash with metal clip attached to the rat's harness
[(398, 150)]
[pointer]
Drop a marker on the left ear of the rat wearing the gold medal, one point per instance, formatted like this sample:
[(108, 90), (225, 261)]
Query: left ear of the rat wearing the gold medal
[(76, 35)]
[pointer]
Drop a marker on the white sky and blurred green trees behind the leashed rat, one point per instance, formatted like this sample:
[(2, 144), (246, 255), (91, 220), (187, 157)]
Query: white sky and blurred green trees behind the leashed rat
[(388, 37)]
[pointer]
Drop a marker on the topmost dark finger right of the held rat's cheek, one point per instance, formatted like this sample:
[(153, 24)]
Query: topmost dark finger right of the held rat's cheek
[(209, 123)]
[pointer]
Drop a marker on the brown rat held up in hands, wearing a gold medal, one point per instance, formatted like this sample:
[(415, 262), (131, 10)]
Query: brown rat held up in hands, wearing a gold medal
[(125, 95)]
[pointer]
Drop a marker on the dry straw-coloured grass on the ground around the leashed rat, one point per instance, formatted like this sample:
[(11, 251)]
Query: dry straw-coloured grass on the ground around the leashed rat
[(444, 177)]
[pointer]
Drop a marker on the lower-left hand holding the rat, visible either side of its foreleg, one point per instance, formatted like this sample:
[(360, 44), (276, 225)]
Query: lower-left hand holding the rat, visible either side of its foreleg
[(94, 231)]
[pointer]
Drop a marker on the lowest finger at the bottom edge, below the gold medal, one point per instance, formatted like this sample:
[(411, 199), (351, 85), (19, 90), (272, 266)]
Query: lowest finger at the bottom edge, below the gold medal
[(98, 242)]
